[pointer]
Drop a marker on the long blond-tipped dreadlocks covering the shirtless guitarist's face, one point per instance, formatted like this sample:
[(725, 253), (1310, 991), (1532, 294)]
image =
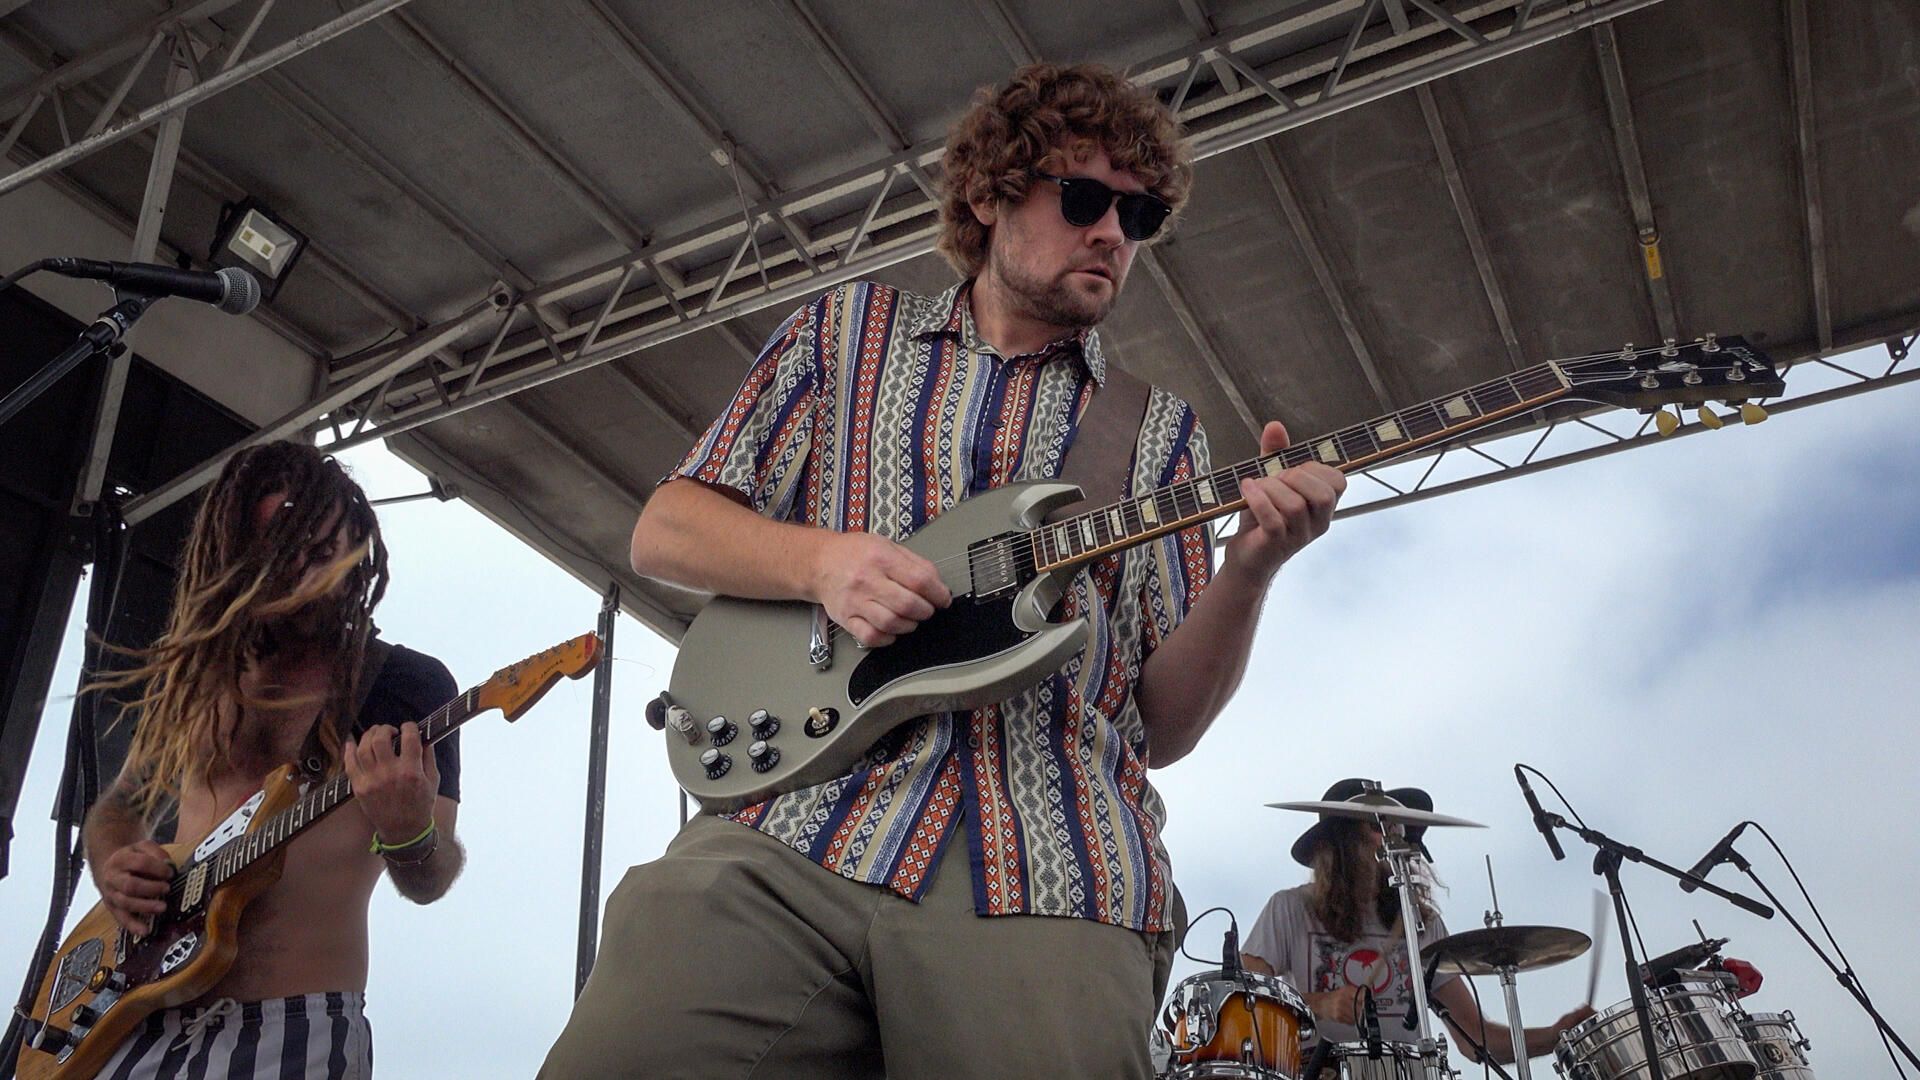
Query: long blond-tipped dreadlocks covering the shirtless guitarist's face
[(241, 579)]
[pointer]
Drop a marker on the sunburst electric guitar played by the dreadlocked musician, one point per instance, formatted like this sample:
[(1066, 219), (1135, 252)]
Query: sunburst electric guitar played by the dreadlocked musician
[(105, 981)]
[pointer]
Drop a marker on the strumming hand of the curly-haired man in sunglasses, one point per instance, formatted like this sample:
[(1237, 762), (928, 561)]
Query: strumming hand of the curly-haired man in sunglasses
[(875, 589)]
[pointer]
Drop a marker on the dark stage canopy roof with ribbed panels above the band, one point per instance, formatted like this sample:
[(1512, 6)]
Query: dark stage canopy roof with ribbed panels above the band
[(546, 237)]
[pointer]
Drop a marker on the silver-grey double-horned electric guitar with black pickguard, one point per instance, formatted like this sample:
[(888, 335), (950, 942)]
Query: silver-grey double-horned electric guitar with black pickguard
[(771, 697)]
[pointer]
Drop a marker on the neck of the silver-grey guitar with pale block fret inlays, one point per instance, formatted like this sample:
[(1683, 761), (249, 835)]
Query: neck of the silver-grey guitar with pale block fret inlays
[(1203, 499)]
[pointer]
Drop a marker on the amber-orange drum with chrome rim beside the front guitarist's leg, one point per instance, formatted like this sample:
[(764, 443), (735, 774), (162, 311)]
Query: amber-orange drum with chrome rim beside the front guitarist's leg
[(1236, 1027)]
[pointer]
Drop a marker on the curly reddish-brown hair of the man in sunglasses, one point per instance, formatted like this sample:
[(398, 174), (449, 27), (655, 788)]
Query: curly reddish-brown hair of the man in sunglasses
[(1022, 126)]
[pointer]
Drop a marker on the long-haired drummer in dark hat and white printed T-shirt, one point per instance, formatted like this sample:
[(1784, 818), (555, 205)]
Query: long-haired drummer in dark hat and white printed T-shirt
[(1343, 931)]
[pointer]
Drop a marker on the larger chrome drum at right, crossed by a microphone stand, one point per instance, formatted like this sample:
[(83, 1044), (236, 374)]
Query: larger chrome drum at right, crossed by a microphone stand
[(1694, 1029)]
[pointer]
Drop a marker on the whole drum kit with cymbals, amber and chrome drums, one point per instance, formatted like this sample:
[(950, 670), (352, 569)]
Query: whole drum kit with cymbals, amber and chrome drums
[(1245, 1025)]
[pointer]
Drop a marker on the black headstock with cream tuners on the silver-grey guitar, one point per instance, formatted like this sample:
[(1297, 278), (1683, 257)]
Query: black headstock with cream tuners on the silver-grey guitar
[(1694, 374)]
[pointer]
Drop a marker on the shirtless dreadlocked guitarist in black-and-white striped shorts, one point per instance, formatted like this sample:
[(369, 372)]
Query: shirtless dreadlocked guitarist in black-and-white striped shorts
[(268, 652)]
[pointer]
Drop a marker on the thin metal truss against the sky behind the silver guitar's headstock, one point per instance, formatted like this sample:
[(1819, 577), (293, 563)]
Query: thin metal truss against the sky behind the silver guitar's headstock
[(1387, 493)]
